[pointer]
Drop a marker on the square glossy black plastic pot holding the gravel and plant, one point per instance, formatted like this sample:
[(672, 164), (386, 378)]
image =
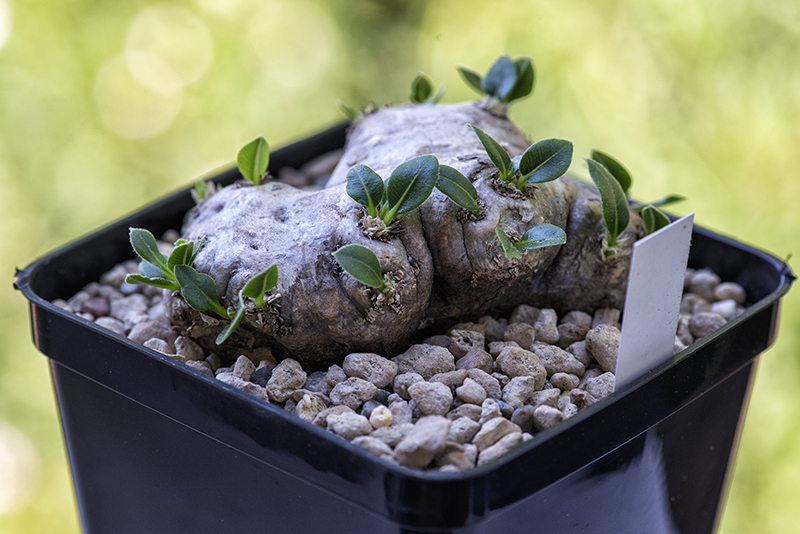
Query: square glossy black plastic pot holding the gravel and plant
[(156, 446)]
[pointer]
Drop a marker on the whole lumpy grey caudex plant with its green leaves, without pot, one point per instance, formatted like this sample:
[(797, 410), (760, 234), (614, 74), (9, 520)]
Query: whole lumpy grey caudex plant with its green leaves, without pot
[(426, 221)]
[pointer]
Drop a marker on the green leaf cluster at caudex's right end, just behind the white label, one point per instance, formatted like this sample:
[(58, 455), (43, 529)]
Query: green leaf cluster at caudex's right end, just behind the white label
[(613, 181)]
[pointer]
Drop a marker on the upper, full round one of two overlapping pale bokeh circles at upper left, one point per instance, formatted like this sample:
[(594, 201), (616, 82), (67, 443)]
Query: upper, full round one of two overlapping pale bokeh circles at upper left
[(173, 34)]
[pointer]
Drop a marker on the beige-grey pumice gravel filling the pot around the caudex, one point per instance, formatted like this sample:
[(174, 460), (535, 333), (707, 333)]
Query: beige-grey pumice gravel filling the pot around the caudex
[(451, 402)]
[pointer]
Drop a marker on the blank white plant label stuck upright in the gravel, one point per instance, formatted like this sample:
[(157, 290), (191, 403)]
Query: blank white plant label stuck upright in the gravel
[(653, 299)]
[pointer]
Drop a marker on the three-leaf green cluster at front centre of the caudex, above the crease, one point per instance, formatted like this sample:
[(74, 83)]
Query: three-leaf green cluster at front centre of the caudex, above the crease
[(409, 185)]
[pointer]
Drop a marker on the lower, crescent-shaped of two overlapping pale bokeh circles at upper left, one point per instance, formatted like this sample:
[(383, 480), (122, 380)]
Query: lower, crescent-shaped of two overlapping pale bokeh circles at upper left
[(129, 109)]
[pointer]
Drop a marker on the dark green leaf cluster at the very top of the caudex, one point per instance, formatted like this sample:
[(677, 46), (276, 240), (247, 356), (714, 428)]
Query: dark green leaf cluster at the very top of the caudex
[(506, 80)]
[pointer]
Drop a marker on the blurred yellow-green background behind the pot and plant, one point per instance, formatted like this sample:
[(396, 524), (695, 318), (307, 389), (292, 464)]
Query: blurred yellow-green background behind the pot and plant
[(106, 106)]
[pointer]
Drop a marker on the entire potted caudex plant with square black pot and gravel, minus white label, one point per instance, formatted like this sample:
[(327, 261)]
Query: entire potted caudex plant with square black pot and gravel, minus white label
[(283, 300)]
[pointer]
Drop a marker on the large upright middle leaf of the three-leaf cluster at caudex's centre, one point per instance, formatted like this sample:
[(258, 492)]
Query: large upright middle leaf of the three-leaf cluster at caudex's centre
[(410, 184)]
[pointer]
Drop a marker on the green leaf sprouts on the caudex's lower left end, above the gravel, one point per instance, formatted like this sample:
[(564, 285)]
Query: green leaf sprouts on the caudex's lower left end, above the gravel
[(176, 272)]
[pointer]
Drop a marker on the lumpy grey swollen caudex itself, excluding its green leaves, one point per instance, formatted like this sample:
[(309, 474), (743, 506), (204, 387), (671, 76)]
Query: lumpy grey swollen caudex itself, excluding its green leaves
[(447, 266)]
